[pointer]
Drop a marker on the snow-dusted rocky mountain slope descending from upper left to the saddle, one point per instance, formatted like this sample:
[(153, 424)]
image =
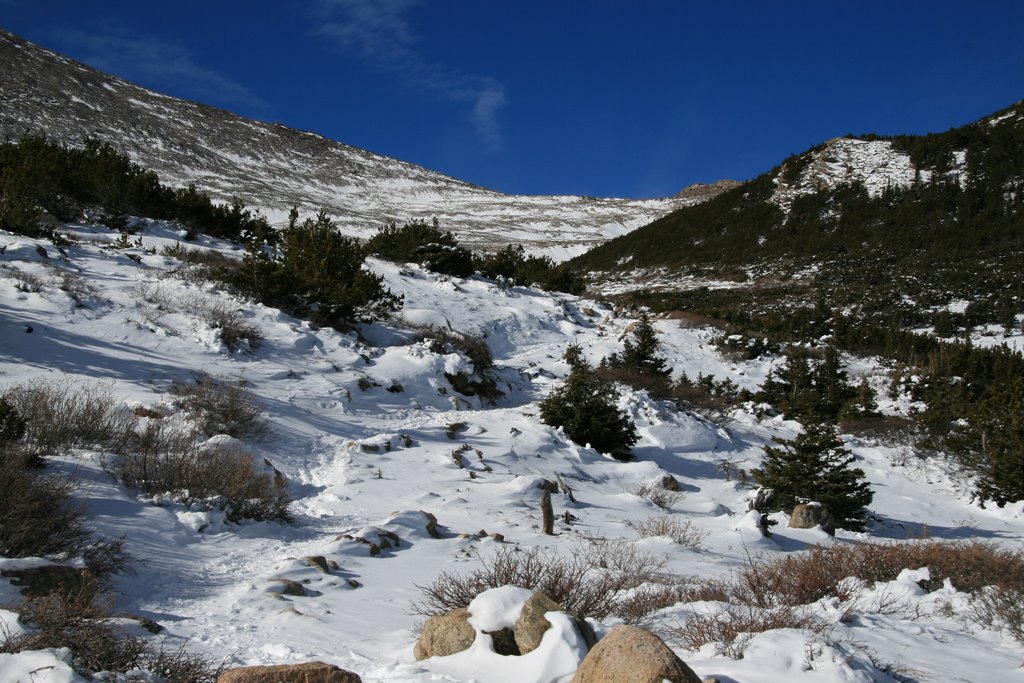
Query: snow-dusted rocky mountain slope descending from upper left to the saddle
[(273, 167)]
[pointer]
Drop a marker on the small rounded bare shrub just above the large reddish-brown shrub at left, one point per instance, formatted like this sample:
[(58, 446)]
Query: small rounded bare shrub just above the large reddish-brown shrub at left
[(221, 407)]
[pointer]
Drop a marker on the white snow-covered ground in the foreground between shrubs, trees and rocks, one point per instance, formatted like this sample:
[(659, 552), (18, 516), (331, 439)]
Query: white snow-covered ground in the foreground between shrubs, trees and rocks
[(365, 426)]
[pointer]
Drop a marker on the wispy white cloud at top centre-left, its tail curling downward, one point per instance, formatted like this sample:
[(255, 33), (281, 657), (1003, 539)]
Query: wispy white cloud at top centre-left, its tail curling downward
[(378, 32)]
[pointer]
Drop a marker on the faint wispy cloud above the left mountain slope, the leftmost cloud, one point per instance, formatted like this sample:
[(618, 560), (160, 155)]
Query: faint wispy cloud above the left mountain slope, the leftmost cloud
[(158, 64)]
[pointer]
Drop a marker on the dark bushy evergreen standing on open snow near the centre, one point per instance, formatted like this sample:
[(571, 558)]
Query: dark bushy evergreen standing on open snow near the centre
[(585, 408)]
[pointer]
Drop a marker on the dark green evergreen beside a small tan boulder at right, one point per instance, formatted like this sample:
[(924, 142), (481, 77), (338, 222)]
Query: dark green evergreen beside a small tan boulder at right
[(816, 467)]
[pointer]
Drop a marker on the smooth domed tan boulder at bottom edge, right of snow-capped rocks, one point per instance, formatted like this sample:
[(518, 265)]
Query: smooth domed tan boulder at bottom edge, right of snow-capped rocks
[(629, 654)]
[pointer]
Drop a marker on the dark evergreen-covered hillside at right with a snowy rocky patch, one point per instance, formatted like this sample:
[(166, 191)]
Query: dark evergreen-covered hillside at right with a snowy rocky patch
[(946, 199)]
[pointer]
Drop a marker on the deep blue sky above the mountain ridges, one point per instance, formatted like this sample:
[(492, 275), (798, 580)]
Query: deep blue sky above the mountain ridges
[(603, 98)]
